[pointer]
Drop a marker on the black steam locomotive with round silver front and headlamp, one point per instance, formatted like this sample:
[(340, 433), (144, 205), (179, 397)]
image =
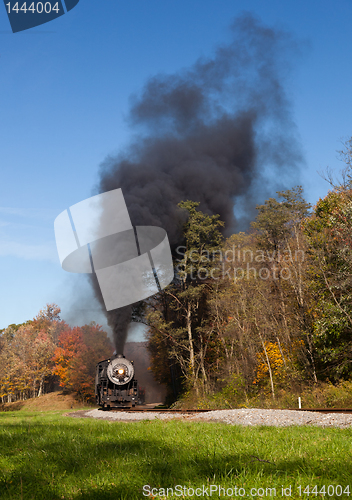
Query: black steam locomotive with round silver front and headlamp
[(115, 385)]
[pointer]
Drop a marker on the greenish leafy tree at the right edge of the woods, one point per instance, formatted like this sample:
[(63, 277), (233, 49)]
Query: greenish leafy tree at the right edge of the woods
[(329, 231)]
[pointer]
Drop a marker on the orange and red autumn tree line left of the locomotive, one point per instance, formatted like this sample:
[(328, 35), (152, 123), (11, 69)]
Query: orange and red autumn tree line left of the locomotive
[(43, 353)]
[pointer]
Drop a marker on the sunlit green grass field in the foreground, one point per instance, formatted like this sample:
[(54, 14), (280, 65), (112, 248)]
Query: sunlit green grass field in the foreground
[(46, 456)]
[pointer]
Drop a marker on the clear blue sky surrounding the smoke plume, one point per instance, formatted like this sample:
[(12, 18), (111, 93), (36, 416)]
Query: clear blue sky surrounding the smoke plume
[(65, 90)]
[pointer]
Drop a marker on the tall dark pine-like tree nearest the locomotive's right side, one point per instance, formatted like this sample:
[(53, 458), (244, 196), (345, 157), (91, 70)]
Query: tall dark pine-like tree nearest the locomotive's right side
[(178, 317)]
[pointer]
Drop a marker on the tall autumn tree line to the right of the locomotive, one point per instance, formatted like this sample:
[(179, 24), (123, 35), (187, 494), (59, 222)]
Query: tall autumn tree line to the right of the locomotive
[(263, 310)]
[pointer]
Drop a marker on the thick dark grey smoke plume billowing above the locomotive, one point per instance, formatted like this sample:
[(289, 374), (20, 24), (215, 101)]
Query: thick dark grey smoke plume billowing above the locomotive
[(208, 134)]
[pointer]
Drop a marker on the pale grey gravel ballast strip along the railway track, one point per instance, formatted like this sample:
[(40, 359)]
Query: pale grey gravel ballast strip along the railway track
[(245, 416)]
